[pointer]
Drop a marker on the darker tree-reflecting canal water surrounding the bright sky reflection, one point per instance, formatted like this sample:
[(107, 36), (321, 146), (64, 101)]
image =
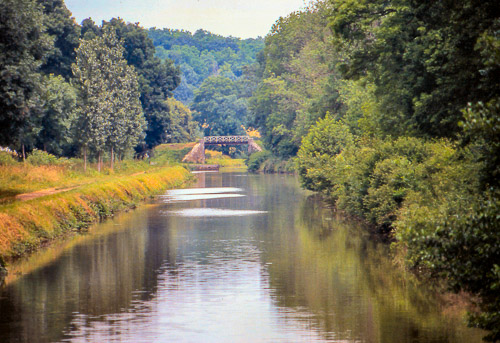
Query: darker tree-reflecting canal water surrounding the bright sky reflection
[(325, 272)]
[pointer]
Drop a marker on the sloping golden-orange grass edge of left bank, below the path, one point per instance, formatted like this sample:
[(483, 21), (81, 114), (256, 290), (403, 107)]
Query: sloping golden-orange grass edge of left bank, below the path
[(27, 225)]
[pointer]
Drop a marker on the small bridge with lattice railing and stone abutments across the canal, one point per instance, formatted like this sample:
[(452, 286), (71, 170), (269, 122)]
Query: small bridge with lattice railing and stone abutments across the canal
[(197, 154)]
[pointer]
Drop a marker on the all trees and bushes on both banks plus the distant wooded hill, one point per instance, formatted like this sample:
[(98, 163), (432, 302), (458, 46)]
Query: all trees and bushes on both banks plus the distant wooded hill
[(392, 108)]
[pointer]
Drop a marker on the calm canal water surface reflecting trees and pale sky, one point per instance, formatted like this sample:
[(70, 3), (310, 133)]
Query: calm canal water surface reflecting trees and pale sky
[(241, 258)]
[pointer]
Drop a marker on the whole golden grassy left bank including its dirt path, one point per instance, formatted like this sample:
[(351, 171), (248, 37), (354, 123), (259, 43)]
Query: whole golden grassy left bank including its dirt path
[(43, 202)]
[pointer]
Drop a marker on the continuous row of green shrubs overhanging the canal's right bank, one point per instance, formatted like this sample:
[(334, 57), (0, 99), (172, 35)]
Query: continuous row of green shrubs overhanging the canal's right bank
[(437, 199)]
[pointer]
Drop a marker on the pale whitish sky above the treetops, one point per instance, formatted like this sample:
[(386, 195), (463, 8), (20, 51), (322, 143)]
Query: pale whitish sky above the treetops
[(237, 18)]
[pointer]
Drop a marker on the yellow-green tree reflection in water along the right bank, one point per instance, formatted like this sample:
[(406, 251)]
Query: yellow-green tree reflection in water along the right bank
[(345, 283)]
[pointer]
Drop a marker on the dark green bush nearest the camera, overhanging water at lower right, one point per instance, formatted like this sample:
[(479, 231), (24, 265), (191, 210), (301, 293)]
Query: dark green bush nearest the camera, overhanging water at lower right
[(459, 241)]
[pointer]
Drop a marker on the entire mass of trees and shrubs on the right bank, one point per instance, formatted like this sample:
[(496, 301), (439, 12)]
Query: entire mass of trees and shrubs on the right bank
[(392, 109)]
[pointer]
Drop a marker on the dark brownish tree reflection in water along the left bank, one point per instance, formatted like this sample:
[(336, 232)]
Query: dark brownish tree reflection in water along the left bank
[(97, 277)]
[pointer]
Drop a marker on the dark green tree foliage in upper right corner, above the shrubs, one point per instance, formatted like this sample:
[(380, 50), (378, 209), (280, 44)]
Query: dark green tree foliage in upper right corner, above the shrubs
[(421, 57)]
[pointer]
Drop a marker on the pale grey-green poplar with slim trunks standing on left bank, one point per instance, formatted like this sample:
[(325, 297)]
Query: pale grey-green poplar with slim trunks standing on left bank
[(111, 112)]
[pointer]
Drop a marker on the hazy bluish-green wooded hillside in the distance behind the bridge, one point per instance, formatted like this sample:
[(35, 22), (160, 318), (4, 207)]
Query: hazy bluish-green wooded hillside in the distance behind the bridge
[(217, 76)]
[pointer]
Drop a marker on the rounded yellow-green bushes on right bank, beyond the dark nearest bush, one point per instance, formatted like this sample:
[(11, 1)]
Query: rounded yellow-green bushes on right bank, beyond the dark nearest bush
[(373, 178)]
